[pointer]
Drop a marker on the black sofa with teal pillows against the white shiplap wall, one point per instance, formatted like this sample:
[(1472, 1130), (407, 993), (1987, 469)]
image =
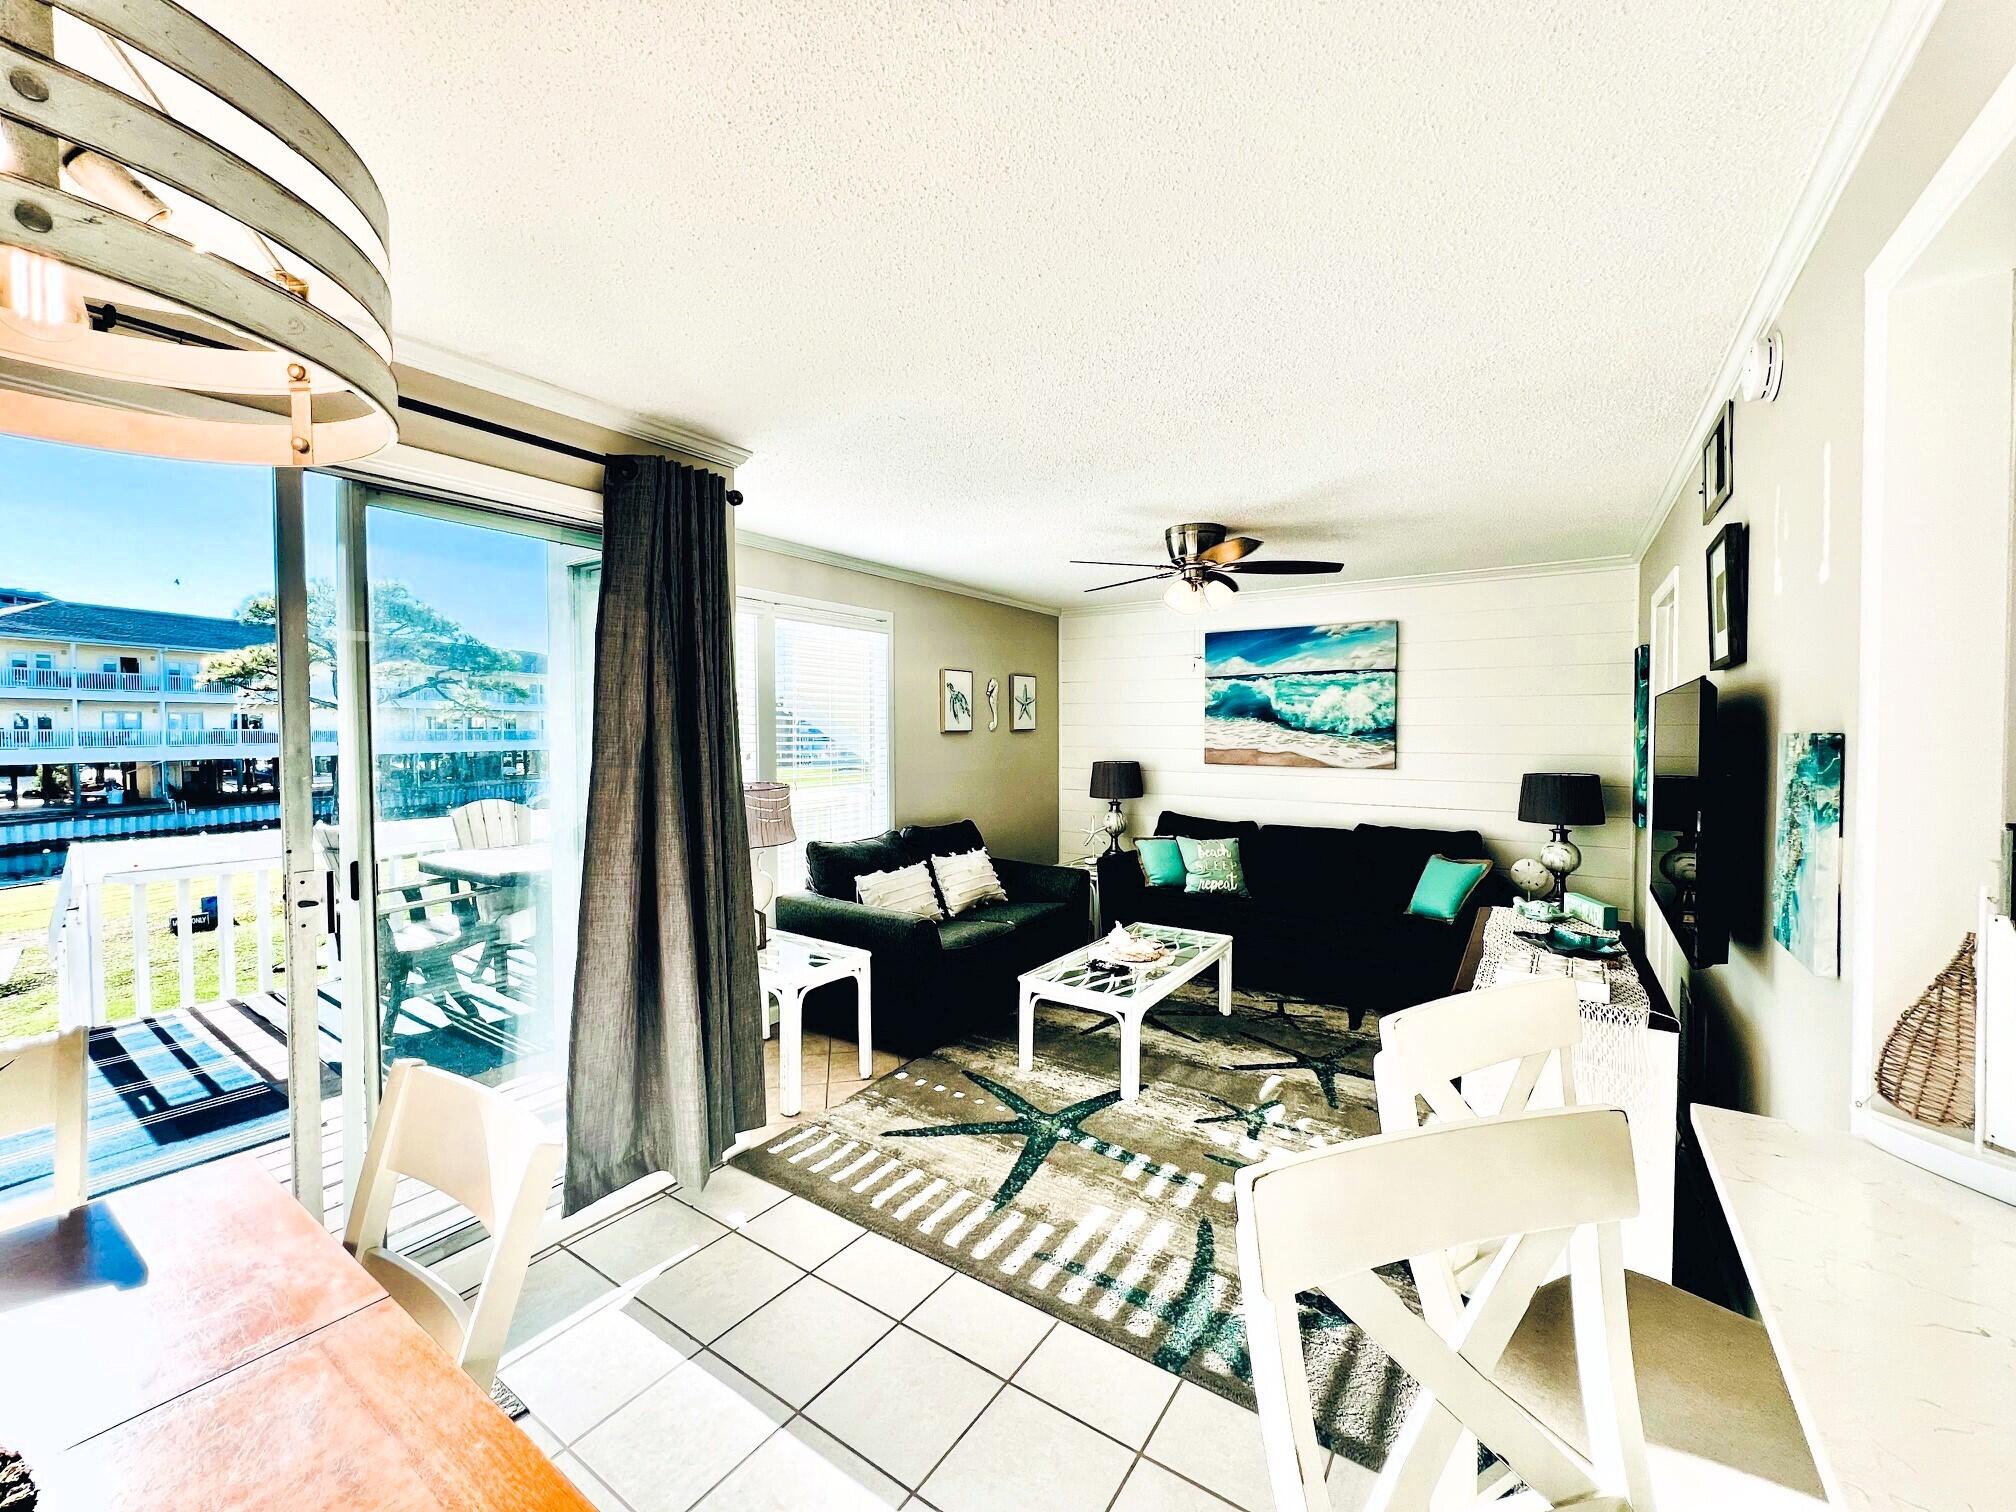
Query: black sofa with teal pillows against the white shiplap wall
[(1326, 914)]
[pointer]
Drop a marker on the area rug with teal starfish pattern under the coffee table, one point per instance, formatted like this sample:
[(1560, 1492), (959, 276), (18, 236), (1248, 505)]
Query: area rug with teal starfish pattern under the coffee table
[(1116, 1217)]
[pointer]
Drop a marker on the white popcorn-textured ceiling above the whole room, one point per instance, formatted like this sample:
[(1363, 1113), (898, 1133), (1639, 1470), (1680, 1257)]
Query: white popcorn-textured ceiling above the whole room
[(985, 287)]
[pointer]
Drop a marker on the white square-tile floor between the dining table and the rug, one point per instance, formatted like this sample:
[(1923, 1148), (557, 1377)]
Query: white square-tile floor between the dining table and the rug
[(741, 1350)]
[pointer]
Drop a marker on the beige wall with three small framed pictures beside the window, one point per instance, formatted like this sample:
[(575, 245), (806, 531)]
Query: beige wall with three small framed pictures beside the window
[(1003, 781)]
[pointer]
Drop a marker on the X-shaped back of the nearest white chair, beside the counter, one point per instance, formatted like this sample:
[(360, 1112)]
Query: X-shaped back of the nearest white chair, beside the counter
[(1328, 1221)]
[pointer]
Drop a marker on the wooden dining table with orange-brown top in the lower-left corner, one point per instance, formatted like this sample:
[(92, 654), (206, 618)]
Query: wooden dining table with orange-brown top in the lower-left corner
[(201, 1344)]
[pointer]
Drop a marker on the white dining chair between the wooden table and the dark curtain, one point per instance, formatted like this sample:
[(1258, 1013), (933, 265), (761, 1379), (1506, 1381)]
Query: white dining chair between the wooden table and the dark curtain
[(489, 1154)]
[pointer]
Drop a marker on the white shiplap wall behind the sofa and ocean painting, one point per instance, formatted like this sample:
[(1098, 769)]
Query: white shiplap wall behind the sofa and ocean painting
[(1499, 676)]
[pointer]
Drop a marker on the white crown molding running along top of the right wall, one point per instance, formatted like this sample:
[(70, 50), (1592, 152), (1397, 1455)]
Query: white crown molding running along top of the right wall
[(1882, 74)]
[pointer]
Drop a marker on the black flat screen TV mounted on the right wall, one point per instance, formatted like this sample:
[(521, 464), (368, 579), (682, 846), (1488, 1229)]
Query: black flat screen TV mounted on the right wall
[(1686, 813)]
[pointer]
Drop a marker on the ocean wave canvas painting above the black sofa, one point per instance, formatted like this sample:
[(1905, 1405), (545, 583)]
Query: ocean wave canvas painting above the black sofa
[(1303, 697)]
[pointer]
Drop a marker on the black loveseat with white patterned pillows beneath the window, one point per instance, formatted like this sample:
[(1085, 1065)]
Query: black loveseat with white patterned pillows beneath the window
[(934, 981)]
